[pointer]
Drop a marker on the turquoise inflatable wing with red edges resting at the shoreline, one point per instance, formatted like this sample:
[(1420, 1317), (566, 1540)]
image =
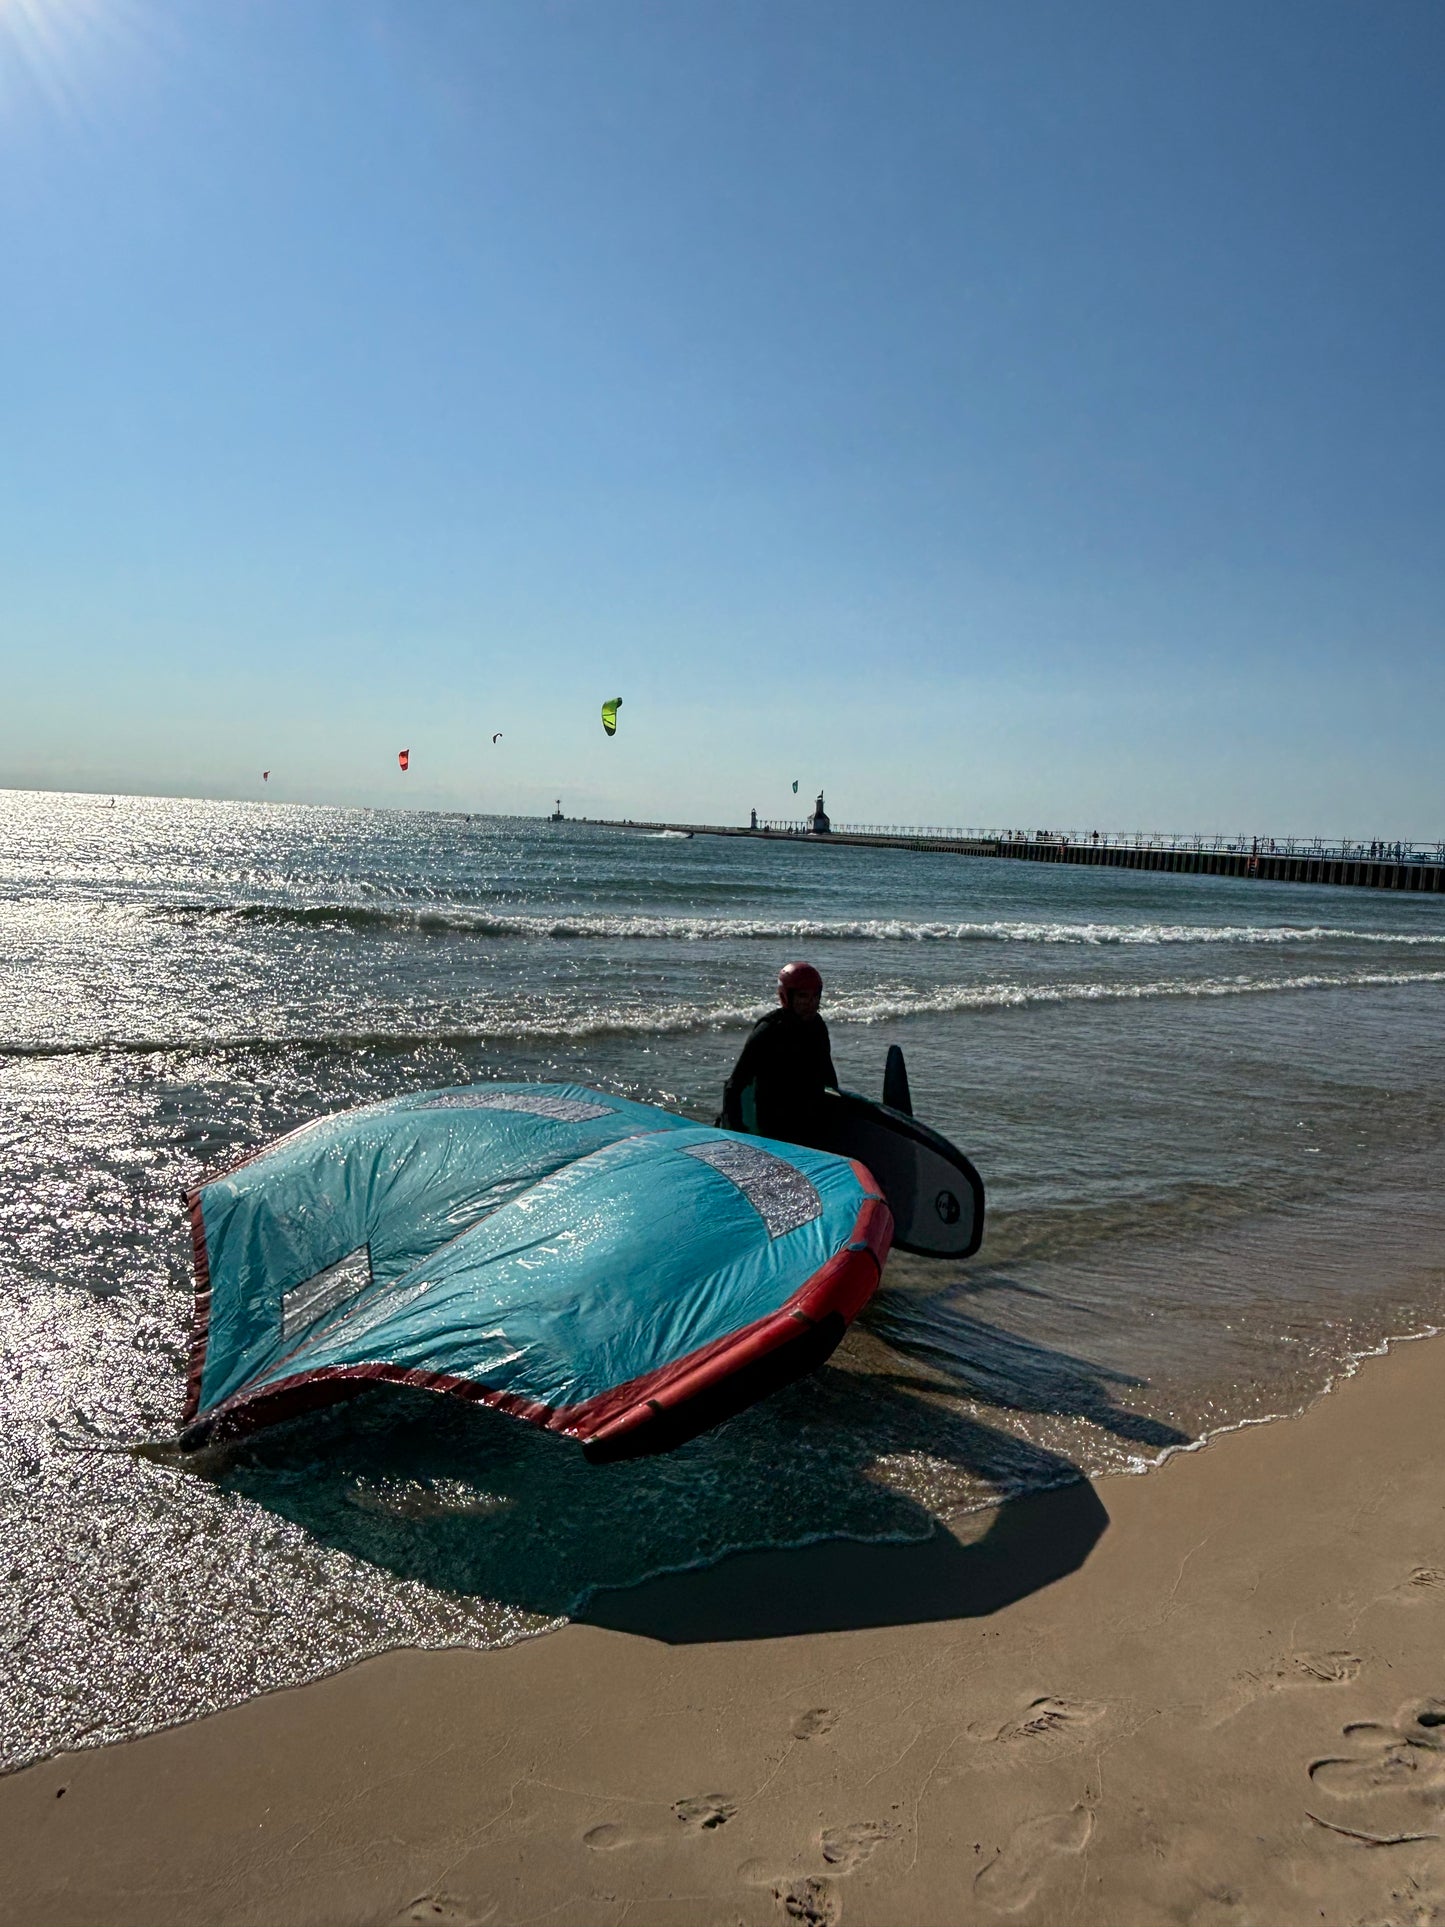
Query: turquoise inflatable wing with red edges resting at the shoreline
[(596, 1267)]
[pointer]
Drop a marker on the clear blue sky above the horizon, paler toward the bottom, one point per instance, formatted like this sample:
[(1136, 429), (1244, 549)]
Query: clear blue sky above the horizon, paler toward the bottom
[(997, 413)]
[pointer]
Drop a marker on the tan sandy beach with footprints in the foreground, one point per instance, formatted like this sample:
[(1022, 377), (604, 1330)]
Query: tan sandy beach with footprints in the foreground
[(1209, 1695)]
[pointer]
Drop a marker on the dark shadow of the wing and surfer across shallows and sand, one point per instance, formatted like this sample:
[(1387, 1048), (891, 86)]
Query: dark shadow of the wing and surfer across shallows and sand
[(812, 1512)]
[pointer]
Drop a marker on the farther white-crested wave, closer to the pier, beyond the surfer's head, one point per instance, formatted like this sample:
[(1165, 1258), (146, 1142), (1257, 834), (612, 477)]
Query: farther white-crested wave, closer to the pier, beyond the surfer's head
[(644, 928)]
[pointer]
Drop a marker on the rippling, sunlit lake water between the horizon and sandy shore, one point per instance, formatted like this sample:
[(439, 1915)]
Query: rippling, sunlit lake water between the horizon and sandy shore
[(1209, 1115)]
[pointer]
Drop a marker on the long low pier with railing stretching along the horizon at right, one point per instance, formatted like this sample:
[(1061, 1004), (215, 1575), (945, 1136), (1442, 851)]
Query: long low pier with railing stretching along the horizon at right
[(1367, 866)]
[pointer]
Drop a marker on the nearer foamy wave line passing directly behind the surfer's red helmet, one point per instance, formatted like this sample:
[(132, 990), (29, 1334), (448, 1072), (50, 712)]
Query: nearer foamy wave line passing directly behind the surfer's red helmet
[(881, 1005)]
